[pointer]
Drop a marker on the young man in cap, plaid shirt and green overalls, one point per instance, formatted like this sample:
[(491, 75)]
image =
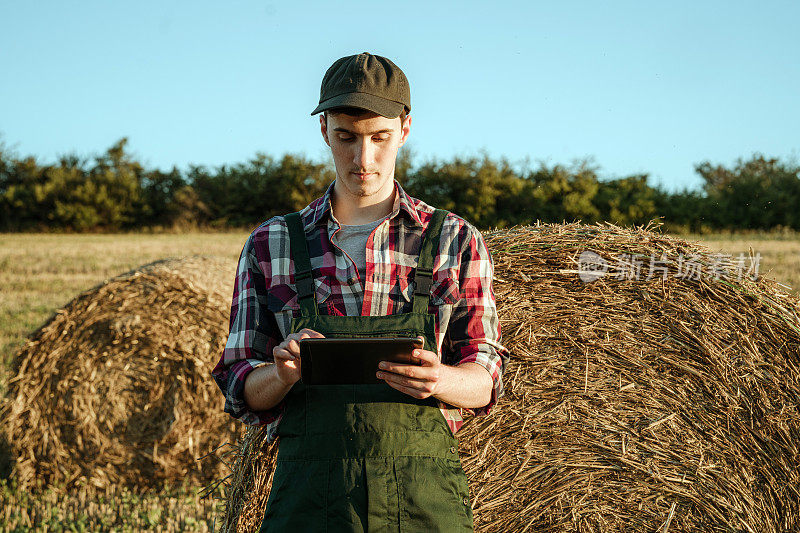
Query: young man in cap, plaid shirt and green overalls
[(365, 259)]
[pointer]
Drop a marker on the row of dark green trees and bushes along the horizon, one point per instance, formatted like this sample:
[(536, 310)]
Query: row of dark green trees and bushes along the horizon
[(113, 192)]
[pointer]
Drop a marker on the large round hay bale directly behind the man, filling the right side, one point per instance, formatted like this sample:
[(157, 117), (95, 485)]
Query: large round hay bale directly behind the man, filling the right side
[(667, 402)]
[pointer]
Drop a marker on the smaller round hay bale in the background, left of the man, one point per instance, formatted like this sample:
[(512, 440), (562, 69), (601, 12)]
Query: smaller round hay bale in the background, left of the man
[(115, 389)]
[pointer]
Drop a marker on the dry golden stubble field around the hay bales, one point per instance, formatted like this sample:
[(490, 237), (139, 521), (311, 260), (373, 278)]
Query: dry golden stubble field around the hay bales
[(39, 273)]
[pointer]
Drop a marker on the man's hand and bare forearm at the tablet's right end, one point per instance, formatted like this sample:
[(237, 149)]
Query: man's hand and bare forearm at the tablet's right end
[(467, 385)]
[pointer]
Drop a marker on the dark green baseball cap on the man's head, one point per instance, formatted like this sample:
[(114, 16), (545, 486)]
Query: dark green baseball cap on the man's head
[(365, 81)]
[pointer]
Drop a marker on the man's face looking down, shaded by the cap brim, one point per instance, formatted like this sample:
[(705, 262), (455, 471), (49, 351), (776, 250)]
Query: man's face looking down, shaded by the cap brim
[(364, 150)]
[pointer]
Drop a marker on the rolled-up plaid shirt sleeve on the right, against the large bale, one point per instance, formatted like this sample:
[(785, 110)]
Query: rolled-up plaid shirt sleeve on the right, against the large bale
[(473, 335)]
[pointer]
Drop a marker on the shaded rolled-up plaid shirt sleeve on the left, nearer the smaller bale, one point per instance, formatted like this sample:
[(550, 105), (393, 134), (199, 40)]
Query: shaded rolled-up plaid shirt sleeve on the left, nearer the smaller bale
[(252, 335)]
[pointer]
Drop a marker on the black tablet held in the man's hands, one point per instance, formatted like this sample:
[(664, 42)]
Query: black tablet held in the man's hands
[(351, 360)]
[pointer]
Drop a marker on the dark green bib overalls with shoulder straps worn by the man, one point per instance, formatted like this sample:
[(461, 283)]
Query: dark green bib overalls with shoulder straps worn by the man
[(366, 458)]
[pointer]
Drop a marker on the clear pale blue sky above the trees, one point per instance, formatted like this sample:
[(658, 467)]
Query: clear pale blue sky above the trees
[(638, 86)]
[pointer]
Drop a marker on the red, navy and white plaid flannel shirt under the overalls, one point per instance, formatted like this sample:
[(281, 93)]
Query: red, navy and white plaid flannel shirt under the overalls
[(264, 297)]
